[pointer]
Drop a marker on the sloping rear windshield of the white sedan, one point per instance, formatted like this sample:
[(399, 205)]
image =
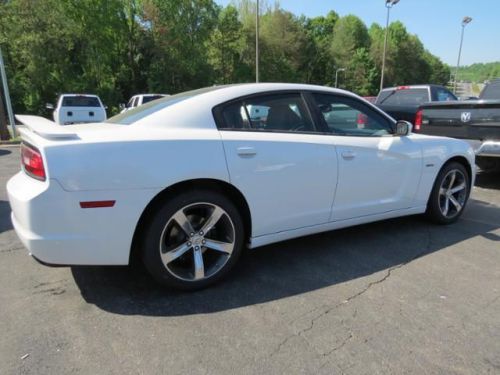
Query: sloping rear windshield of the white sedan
[(138, 113)]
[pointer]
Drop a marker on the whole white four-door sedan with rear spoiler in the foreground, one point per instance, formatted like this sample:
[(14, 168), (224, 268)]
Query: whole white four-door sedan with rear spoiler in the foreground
[(188, 181)]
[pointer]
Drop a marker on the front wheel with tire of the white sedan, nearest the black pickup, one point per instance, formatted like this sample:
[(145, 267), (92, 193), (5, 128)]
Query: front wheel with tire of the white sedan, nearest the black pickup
[(437, 200)]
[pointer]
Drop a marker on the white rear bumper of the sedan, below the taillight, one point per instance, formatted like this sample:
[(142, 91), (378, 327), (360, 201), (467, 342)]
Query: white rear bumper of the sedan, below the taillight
[(56, 230)]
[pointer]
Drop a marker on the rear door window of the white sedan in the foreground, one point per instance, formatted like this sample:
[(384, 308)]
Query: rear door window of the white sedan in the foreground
[(276, 112)]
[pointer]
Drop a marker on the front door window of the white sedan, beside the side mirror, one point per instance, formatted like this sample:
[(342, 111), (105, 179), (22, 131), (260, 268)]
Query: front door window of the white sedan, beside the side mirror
[(346, 116)]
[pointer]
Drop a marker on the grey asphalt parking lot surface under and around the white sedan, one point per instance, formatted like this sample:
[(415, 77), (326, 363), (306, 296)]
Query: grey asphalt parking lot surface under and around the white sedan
[(399, 296)]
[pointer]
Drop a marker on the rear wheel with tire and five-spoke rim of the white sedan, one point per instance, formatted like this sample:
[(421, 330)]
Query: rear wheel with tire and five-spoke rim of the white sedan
[(163, 234)]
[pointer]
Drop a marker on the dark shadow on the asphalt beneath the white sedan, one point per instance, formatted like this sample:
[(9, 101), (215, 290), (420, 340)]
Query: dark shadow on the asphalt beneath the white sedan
[(285, 269)]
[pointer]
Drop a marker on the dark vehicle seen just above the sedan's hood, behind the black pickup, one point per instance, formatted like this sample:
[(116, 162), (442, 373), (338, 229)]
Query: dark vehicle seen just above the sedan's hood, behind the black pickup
[(402, 102)]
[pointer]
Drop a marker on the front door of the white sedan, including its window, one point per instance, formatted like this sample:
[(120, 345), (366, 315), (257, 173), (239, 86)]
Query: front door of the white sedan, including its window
[(378, 172)]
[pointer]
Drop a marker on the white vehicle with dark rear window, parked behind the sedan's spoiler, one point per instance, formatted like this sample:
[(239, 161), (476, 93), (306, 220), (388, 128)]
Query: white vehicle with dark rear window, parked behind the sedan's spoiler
[(78, 109)]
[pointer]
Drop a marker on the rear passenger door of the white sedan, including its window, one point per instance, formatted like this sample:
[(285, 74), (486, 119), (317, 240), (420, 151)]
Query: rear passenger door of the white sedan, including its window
[(276, 157)]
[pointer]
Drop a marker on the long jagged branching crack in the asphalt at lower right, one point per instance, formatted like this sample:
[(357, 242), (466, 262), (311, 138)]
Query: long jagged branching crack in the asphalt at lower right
[(349, 299)]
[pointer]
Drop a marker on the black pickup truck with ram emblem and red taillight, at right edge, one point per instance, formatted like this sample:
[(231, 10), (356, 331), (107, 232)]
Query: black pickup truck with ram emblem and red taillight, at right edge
[(476, 121)]
